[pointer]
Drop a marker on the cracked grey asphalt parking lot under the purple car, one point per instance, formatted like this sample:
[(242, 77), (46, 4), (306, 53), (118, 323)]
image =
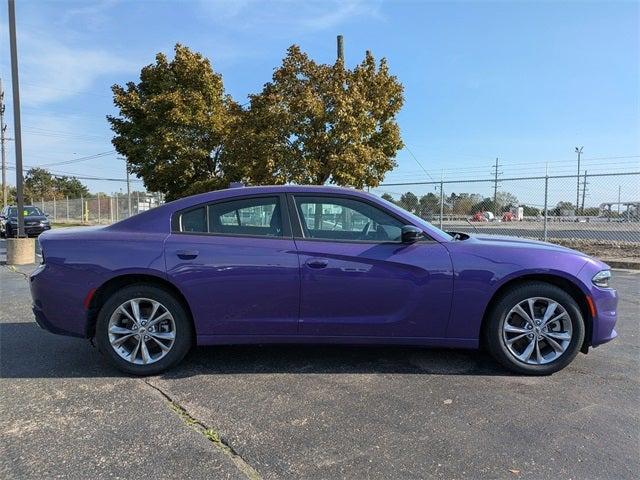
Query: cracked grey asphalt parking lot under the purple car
[(313, 412)]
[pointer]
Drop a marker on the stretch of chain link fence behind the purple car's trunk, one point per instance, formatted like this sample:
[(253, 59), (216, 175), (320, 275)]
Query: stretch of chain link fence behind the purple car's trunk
[(98, 209)]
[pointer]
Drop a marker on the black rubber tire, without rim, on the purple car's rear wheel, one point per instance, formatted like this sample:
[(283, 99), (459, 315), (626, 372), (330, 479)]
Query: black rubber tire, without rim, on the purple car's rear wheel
[(184, 335)]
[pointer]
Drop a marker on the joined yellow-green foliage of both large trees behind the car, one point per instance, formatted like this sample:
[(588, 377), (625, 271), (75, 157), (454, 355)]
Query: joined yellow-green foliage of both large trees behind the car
[(311, 124)]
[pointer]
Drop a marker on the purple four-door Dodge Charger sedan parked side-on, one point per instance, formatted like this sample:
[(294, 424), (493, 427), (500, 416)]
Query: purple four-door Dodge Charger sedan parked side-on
[(293, 264)]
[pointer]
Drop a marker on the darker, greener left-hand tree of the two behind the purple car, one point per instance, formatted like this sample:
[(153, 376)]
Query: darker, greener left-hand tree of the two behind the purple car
[(173, 124)]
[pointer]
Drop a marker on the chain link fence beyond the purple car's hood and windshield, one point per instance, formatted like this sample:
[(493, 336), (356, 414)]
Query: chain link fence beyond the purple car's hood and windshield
[(563, 209)]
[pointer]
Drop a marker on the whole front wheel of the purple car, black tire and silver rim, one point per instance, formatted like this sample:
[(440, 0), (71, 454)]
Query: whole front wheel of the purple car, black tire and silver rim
[(536, 329)]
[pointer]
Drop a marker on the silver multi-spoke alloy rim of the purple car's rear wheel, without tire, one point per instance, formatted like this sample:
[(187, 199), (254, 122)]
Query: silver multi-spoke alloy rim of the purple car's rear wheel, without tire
[(142, 331)]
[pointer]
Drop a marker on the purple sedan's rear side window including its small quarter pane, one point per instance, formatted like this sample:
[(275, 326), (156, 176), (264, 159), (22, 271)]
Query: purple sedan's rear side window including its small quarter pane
[(246, 216)]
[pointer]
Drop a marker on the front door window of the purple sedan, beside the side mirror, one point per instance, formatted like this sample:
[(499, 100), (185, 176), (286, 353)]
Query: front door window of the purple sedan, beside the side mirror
[(334, 218)]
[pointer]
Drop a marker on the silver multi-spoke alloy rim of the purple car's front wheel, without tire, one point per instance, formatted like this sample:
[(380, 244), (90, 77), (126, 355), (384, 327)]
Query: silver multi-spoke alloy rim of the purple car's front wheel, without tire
[(537, 331)]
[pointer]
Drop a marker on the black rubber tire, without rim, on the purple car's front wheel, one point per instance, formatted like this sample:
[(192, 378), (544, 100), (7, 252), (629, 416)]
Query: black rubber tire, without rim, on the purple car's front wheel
[(493, 330)]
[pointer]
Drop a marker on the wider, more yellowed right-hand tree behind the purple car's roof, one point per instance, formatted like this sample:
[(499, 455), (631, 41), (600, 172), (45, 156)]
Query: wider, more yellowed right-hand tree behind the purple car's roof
[(316, 123)]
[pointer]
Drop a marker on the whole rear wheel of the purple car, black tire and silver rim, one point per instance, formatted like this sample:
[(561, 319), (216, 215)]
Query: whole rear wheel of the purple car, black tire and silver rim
[(143, 330)]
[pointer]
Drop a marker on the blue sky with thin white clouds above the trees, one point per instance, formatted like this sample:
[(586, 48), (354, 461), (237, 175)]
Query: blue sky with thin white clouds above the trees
[(522, 81)]
